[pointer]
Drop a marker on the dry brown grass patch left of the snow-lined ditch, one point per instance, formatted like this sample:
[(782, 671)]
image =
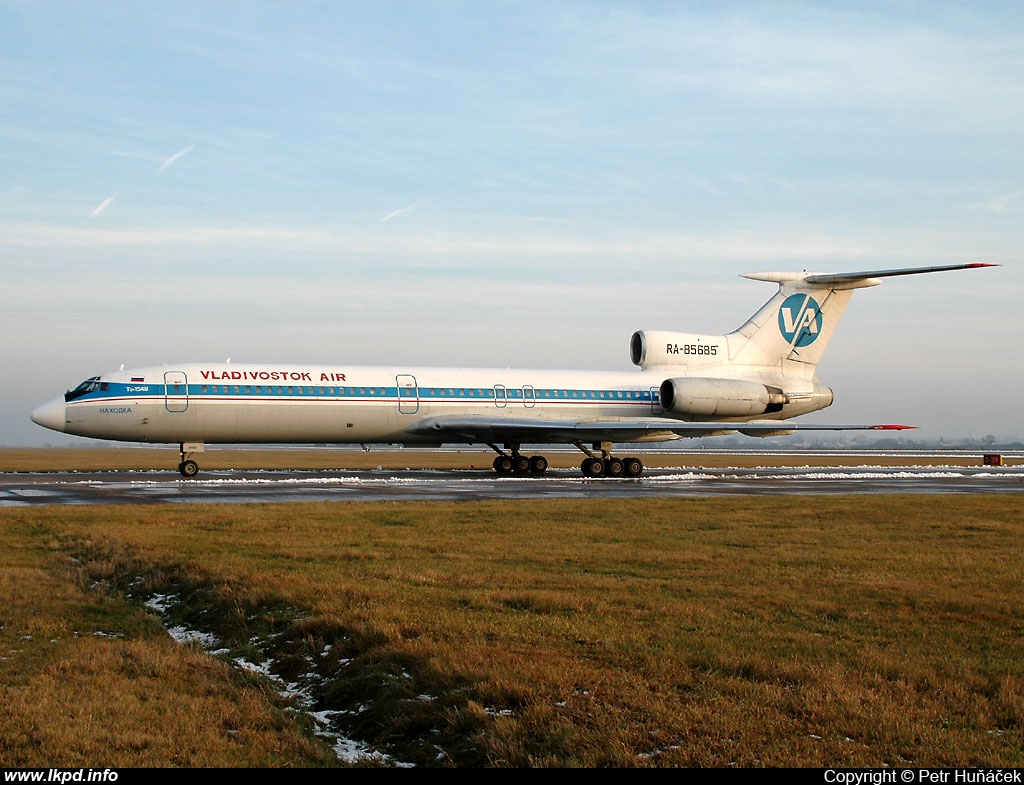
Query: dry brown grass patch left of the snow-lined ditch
[(90, 680)]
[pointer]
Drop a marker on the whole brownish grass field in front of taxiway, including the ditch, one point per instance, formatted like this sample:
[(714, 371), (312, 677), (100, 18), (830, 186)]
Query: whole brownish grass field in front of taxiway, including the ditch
[(796, 632)]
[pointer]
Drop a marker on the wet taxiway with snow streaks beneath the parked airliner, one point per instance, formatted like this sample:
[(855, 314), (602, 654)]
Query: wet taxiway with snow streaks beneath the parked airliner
[(238, 487)]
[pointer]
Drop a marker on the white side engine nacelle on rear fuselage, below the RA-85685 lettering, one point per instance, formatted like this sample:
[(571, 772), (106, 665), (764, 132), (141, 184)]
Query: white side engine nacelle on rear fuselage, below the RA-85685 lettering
[(720, 398)]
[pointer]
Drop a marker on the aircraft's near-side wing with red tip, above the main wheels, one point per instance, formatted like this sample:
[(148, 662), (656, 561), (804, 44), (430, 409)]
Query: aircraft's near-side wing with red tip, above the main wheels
[(529, 431)]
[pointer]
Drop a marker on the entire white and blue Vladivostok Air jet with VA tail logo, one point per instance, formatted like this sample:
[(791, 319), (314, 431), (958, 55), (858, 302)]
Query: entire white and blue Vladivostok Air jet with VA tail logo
[(751, 381)]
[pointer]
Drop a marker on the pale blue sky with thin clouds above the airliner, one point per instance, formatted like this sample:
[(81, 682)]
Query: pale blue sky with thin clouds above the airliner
[(510, 184)]
